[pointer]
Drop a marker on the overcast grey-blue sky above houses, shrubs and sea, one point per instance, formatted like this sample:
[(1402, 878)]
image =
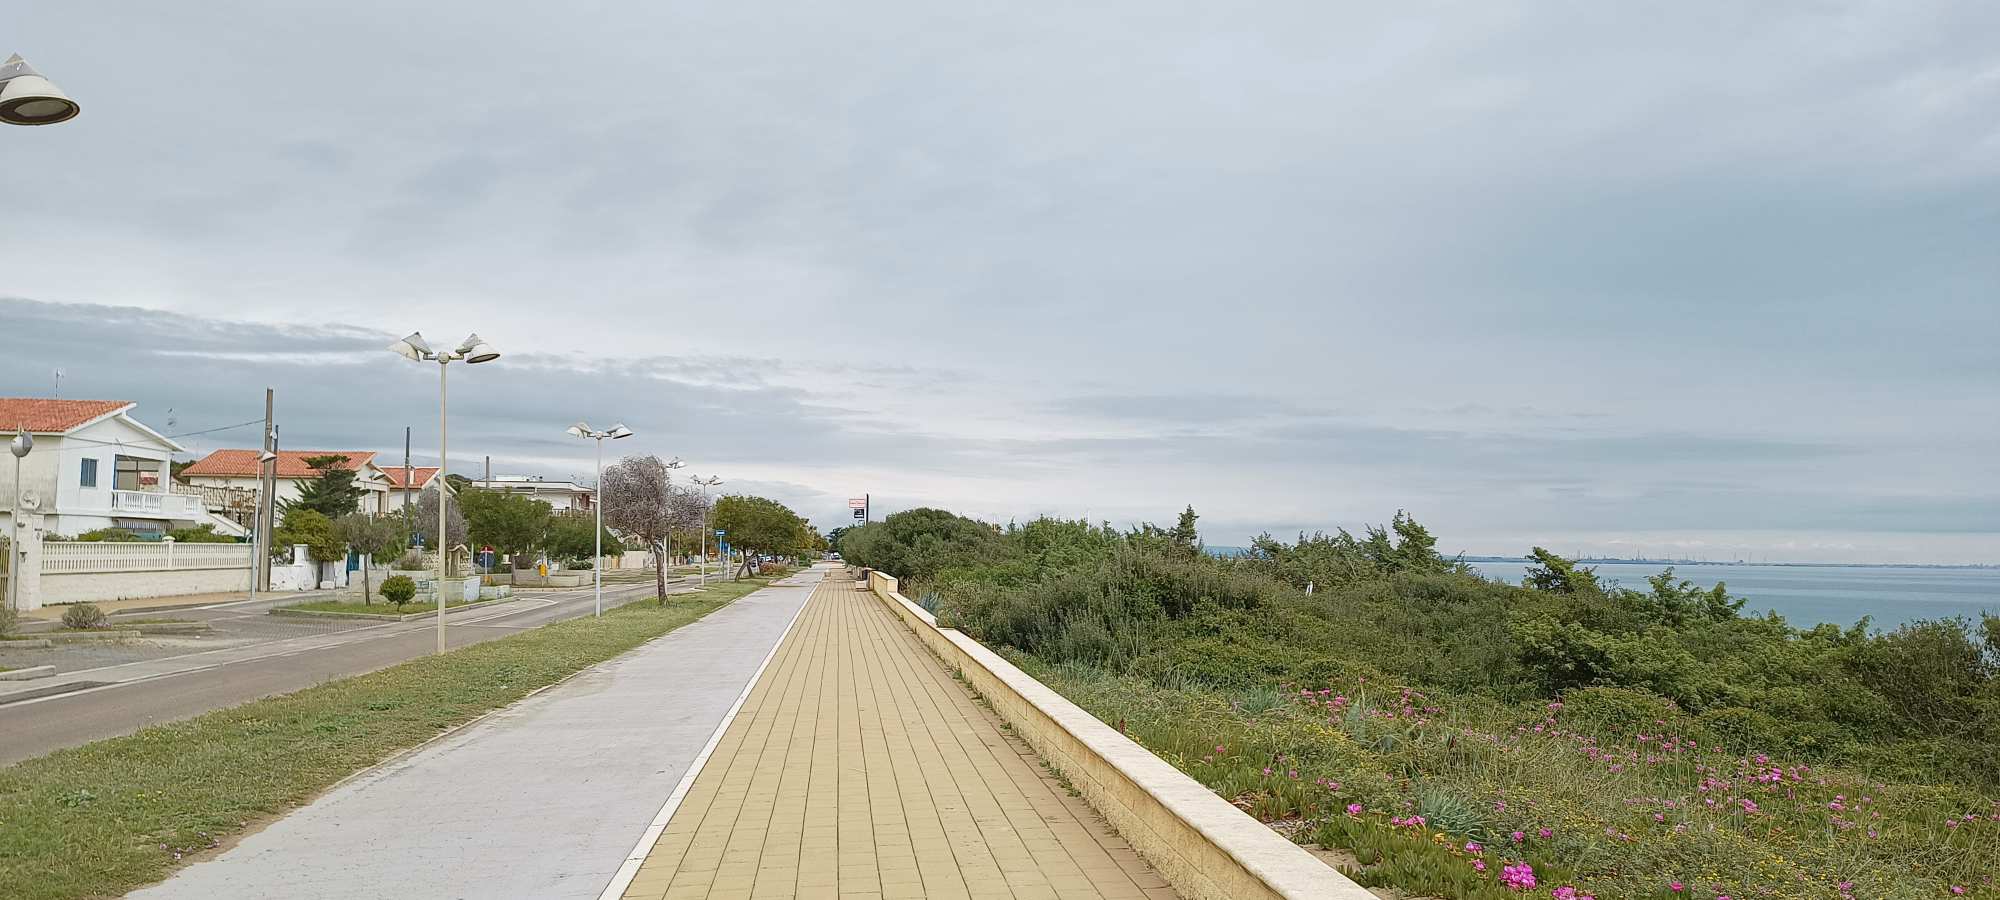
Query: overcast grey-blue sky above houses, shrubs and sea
[(1701, 279)]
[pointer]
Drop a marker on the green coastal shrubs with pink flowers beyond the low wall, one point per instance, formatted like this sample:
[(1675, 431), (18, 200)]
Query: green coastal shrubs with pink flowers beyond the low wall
[(1457, 737)]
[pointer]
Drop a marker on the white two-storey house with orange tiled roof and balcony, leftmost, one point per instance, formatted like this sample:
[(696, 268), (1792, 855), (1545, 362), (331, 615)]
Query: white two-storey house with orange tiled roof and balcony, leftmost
[(97, 467)]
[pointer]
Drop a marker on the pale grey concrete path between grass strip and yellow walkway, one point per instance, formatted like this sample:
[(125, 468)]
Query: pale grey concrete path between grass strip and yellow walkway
[(537, 801)]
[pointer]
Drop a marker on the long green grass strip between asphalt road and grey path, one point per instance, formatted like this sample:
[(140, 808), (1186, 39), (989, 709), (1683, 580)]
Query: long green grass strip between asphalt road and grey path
[(109, 817)]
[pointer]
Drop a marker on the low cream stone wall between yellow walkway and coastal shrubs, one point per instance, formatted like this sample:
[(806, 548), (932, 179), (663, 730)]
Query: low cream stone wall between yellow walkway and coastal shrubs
[(1197, 841)]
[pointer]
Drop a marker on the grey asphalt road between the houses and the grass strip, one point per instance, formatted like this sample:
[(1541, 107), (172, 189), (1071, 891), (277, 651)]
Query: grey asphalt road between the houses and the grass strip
[(141, 697)]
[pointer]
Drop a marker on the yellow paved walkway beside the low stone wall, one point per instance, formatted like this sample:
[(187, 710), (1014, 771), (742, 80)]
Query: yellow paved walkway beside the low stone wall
[(859, 769)]
